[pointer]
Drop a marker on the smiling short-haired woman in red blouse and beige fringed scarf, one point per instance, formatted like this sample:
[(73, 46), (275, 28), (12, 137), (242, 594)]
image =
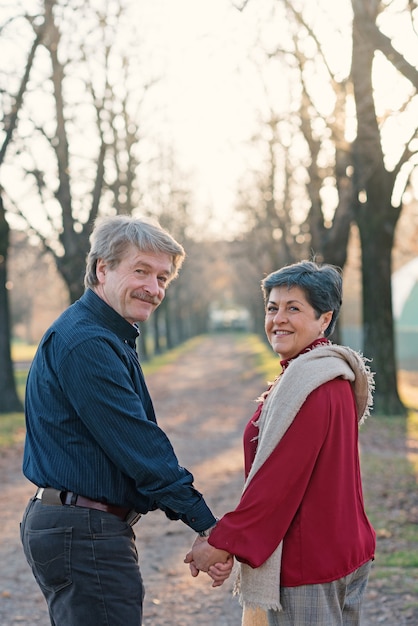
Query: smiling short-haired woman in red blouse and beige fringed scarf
[(300, 531)]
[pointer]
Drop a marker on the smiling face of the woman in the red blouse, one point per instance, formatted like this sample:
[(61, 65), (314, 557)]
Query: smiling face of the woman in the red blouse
[(291, 323)]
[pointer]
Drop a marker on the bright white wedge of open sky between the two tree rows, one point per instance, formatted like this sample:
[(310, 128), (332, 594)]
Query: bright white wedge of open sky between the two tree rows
[(209, 92)]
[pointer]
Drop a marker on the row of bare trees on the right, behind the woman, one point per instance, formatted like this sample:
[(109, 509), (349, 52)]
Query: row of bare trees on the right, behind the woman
[(367, 182)]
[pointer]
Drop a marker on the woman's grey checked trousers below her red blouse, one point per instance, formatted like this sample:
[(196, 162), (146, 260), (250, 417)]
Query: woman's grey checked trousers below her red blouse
[(331, 604)]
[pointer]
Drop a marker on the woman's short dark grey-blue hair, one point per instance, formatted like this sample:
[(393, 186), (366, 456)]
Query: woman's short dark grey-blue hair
[(322, 285)]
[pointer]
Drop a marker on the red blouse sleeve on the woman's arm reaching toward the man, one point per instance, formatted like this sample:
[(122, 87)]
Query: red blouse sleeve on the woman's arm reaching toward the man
[(260, 521)]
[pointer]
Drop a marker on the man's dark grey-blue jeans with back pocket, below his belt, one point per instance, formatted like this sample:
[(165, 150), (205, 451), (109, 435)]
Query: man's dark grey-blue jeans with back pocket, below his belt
[(86, 564)]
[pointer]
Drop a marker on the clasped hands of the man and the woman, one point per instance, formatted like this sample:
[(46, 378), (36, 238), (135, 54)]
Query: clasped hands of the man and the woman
[(205, 558)]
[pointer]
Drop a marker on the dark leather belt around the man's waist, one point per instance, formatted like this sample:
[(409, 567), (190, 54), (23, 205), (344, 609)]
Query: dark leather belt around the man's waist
[(47, 495)]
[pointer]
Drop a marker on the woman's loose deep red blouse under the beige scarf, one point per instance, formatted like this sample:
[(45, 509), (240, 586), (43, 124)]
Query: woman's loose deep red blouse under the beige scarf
[(308, 493)]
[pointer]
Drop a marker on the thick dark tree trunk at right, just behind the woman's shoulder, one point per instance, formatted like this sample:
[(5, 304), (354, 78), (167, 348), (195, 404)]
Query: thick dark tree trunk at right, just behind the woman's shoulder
[(376, 219)]
